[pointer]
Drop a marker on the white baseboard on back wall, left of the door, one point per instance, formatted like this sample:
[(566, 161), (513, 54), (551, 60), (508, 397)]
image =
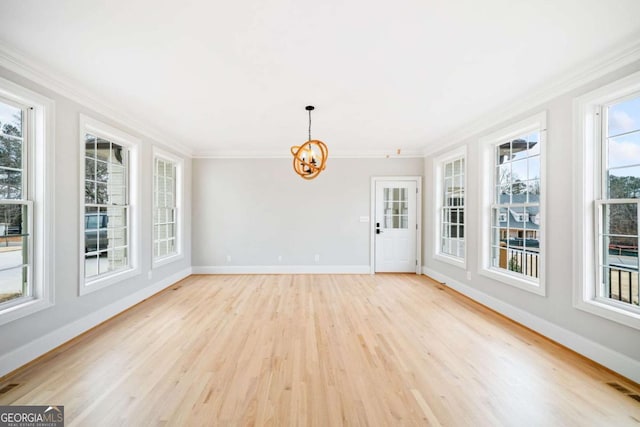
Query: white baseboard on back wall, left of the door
[(283, 269)]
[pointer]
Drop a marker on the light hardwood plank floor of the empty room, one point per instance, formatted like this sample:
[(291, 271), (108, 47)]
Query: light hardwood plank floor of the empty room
[(322, 350)]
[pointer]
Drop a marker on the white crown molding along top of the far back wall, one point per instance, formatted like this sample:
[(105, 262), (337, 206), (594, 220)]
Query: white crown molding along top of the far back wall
[(283, 154)]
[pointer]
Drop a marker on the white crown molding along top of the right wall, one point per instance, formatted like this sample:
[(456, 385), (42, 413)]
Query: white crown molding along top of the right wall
[(587, 72)]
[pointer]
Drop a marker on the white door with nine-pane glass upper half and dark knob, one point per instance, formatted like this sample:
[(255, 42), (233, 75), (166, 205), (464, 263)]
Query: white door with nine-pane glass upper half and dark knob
[(395, 226)]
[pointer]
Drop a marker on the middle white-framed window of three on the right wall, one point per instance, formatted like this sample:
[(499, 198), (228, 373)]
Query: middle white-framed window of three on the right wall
[(512, 249)]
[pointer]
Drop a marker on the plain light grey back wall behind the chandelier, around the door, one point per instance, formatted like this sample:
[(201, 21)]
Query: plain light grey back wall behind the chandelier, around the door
[(256, 210)]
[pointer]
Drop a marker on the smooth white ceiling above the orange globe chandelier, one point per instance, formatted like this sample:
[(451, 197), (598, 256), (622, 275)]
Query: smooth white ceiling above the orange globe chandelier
[(224, 77)]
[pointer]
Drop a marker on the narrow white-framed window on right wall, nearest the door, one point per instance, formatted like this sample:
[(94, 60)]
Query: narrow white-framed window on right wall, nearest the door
[(450, 178)]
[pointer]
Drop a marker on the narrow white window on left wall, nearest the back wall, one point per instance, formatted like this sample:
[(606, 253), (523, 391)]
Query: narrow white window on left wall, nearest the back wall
[(167, 179)]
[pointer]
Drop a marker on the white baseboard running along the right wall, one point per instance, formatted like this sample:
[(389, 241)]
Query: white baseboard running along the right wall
[(617, 362)]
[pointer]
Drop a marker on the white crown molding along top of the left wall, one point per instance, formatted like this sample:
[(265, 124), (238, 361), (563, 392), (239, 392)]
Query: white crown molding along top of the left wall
[(28, 68)]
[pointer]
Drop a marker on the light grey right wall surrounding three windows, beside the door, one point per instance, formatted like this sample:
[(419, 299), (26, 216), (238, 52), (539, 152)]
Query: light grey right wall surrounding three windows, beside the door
[(554, 313)]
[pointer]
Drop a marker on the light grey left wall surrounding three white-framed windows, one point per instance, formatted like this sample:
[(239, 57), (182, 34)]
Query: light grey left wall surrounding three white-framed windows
[(28, 337)]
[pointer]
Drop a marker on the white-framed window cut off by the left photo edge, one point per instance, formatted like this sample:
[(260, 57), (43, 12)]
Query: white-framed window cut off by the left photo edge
[(26, 185)]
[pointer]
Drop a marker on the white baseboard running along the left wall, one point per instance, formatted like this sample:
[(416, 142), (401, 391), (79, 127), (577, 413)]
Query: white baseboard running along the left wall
[(28, 352)]
